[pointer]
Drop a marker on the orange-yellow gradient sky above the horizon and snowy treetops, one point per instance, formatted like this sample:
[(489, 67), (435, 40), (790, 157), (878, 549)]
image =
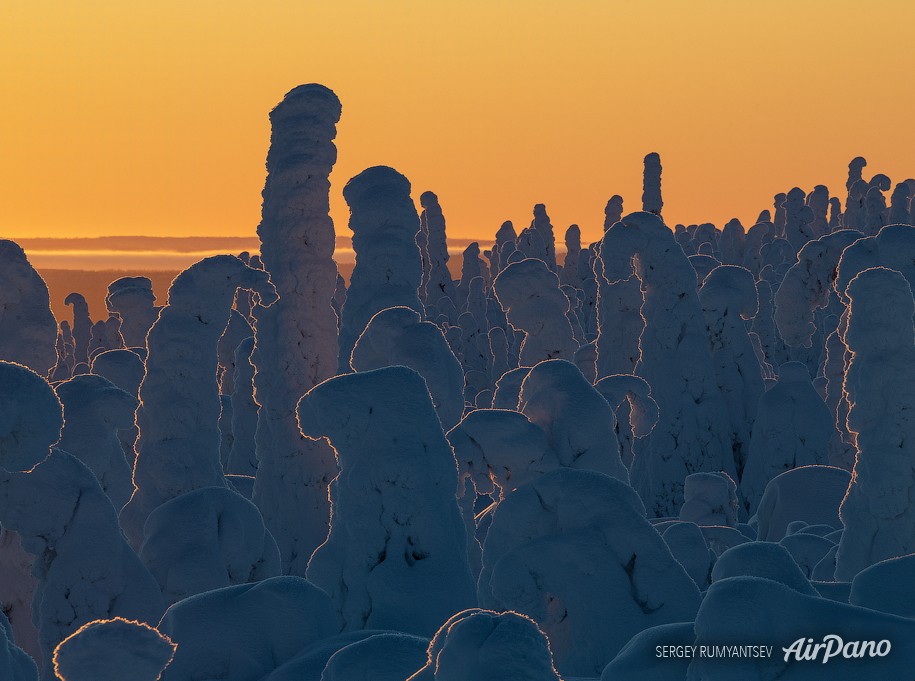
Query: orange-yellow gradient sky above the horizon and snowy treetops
[(129, 117)]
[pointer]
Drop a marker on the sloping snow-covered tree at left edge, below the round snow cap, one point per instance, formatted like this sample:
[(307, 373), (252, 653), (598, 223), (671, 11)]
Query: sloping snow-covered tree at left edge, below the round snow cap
[(85, 568)]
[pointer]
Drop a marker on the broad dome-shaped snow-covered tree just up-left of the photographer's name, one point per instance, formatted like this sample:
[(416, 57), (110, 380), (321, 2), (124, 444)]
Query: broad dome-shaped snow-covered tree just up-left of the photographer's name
[(573, 550)]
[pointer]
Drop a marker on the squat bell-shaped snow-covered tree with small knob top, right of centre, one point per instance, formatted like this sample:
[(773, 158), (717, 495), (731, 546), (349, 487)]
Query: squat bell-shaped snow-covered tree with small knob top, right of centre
[(793, 428)]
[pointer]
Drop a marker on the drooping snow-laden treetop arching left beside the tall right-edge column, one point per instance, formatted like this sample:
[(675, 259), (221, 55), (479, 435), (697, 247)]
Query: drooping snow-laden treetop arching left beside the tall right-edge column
[(807, 286)]
